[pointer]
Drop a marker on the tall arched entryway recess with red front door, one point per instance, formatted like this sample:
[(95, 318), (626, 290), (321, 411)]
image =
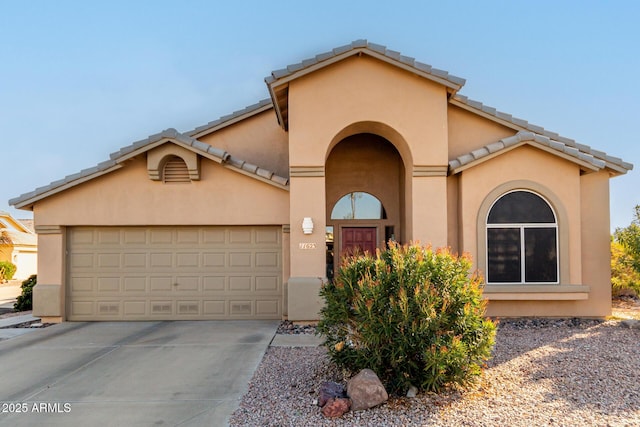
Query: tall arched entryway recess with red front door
[(364, 179)]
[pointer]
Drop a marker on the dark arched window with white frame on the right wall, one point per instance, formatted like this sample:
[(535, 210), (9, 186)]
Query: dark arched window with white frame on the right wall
[(522, 240)]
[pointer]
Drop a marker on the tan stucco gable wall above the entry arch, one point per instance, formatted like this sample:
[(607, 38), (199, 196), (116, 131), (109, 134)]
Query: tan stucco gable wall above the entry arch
[(357, 90)]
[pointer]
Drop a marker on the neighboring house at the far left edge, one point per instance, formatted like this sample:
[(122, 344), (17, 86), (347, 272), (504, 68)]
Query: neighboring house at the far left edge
[(18, 245)]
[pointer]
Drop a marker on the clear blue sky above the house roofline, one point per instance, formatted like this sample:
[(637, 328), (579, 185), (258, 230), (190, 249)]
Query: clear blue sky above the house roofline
[(81, 79)]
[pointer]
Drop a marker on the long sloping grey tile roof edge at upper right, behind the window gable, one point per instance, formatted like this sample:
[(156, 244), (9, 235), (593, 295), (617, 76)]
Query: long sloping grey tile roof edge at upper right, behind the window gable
[(521, 125)]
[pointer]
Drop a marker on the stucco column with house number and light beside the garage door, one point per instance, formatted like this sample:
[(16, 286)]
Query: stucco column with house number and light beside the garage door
[(307, 251)]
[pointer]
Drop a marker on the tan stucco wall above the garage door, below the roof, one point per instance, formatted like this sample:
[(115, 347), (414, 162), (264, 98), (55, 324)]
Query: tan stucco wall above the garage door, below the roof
[(128, 197)]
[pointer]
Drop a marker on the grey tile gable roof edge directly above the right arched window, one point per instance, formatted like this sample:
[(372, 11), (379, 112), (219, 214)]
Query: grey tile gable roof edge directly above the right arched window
[(585, 160)]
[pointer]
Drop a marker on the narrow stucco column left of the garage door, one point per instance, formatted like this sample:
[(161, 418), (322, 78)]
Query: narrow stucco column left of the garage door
[(49, 293)]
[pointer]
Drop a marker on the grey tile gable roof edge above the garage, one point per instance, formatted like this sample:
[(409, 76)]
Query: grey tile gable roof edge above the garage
[(117, 158)]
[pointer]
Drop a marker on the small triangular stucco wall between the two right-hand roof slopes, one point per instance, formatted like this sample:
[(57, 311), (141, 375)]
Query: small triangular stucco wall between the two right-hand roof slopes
[(468, 131)]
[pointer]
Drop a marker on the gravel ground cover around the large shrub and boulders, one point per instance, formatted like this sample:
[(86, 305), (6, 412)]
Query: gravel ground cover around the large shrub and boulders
[(567, 372)]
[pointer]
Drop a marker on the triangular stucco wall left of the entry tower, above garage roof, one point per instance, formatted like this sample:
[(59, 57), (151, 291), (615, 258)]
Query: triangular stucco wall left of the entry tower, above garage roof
[(258, 140)]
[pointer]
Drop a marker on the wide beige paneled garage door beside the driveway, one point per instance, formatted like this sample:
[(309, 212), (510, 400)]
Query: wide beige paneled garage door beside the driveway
[(173, 273)]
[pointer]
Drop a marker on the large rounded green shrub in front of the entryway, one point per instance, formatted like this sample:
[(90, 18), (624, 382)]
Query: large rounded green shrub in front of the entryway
[(412, 315)]
